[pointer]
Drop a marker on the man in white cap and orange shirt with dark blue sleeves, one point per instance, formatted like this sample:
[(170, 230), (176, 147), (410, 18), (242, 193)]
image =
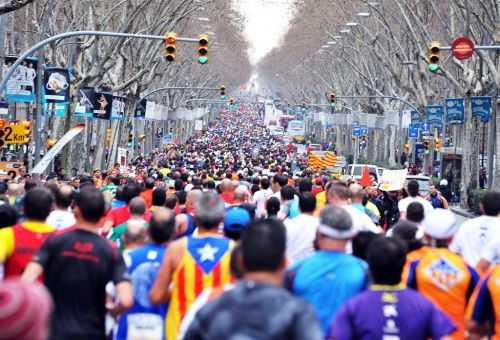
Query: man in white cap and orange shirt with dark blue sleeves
[(441, 275)]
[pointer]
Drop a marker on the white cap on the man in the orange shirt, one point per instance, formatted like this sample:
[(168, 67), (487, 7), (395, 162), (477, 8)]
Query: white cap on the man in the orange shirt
[(440, 224)]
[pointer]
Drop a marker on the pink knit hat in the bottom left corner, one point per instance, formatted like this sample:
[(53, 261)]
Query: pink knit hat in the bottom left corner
[(24, 310)]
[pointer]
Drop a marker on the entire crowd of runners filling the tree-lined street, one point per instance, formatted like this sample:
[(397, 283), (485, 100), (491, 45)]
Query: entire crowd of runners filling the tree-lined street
[(232, 236)]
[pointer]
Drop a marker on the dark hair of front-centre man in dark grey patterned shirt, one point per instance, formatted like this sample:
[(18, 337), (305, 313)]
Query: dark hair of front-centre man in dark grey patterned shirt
[(263, 246)]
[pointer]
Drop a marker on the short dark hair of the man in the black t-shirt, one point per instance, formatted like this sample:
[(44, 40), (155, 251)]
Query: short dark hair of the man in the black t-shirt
[(90, 201)]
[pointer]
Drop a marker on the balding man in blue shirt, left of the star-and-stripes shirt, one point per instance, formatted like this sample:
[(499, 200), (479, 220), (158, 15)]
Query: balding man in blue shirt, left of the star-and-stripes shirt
[(143, 264)]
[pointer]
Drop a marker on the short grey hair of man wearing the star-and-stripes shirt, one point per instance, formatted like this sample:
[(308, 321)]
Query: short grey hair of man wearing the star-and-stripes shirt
[(209, 210)]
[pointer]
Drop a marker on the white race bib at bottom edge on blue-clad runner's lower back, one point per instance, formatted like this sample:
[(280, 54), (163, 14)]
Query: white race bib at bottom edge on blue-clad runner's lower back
[(143, 326)]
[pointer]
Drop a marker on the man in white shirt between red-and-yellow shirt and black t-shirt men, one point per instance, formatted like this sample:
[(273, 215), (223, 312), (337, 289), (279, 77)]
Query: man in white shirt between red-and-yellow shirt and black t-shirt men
[(62, 217)]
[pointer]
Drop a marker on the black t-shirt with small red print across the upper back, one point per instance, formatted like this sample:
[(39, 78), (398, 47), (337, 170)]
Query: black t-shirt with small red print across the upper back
[(77, 266)]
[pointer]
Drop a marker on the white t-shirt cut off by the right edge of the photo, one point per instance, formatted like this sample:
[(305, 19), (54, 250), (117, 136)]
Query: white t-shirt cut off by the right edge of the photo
[(473, 237)]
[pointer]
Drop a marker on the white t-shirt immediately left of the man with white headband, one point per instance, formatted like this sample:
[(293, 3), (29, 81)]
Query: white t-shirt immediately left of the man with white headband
[(300, 235)]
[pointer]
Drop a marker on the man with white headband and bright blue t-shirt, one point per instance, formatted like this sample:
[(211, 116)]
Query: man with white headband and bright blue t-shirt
[(330, 277)]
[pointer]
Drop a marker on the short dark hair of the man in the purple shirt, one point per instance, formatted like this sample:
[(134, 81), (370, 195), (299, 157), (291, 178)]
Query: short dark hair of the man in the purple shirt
[(386, 258)]
